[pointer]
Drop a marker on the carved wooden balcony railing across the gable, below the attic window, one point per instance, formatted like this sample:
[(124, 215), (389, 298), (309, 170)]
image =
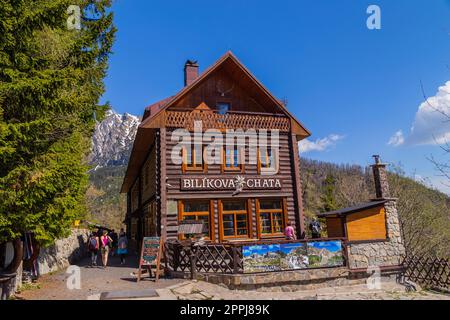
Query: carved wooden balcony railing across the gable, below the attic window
[(211, 120)]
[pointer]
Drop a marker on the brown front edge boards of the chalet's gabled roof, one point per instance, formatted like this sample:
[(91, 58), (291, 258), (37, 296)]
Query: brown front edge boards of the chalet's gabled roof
[(229, 57)]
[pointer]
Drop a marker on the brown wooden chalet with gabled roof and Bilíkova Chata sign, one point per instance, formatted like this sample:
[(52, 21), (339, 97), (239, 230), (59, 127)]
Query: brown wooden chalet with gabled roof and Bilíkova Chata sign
[(161, 194)]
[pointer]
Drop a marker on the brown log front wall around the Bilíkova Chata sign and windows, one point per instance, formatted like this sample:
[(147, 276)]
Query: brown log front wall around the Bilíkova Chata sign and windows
[(287, 192)]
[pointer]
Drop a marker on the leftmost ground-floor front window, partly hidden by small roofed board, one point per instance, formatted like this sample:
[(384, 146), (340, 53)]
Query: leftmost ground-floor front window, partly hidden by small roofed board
[(199, 211)]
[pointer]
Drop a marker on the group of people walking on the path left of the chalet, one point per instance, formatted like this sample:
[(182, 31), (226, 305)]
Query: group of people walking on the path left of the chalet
[(107, 243)]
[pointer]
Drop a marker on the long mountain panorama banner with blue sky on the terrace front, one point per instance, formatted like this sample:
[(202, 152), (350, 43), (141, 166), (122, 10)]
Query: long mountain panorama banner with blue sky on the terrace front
[(292, 256)]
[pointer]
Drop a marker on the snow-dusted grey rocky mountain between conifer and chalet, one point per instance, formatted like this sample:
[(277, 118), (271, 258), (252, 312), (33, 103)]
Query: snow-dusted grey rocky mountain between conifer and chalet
[(113, 139)]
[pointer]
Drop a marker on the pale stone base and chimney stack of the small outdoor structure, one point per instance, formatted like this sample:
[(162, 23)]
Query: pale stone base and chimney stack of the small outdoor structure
[(382, 253)]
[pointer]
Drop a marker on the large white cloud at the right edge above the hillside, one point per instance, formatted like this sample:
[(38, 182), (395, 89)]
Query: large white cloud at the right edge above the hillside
[(432, 123)]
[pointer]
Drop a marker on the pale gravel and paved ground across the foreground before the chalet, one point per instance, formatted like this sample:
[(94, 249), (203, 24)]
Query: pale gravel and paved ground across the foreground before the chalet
[(116, 278)]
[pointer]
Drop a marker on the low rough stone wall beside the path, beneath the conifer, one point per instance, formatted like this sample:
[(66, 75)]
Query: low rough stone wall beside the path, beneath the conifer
[(64, 252)]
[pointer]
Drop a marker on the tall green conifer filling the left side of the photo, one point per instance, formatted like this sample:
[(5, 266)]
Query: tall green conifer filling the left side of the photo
[(51, 79)]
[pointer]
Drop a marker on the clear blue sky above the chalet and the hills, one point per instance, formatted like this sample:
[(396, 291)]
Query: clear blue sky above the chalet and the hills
[(352, 87)]
